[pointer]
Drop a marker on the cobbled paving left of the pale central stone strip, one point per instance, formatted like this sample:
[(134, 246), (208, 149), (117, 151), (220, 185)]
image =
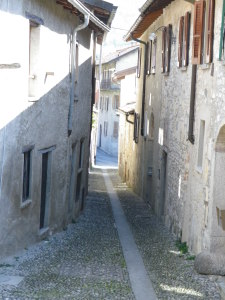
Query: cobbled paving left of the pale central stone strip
[(83, 262)]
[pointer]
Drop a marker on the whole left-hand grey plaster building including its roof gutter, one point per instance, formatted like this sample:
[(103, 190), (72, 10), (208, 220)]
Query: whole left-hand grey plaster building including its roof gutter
[(46, 76)]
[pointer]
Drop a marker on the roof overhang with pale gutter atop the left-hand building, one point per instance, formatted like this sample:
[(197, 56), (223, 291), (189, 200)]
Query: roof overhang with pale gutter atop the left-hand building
[(79, 9)]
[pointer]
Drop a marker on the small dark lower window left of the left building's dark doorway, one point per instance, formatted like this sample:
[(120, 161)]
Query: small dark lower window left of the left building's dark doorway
[(27, 168)]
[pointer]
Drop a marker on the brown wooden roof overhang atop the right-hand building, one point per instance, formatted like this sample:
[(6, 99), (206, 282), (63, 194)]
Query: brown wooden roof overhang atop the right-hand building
[(150, 11)]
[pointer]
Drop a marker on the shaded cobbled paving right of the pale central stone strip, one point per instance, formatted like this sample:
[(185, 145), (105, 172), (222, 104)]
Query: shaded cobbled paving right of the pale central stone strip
[(172, 274)]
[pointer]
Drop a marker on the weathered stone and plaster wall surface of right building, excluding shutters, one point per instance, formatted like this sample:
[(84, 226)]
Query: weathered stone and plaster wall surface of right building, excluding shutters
[(191, 193)]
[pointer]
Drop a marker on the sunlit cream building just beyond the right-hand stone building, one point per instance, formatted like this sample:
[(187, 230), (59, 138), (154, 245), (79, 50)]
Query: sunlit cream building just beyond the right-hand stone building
[(126, 74)]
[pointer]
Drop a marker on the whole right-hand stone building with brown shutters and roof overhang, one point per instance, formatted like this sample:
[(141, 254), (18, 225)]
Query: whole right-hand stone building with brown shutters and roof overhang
[(178, 161)]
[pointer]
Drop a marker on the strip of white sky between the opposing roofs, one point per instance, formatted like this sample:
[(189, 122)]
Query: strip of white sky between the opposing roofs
[(126, 15)]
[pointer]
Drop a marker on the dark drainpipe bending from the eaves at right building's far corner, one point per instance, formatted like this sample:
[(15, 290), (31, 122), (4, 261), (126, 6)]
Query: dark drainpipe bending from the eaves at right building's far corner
[(144, 82)]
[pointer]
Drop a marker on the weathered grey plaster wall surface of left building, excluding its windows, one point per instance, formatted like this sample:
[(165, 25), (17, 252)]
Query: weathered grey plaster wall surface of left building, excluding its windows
[(43, 123)]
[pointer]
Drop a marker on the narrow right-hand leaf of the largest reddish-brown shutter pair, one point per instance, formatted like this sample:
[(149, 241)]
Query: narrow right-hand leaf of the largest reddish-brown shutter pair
[(209, 47)]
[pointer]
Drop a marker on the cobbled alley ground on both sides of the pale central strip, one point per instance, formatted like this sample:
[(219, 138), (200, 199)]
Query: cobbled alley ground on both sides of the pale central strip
[(87, 261)]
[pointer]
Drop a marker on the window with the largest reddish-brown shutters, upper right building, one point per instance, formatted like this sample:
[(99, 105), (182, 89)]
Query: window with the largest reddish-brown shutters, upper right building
[(203, 32)]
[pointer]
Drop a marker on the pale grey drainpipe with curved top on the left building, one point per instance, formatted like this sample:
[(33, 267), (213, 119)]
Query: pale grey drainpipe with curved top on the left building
[(73, 69)]
